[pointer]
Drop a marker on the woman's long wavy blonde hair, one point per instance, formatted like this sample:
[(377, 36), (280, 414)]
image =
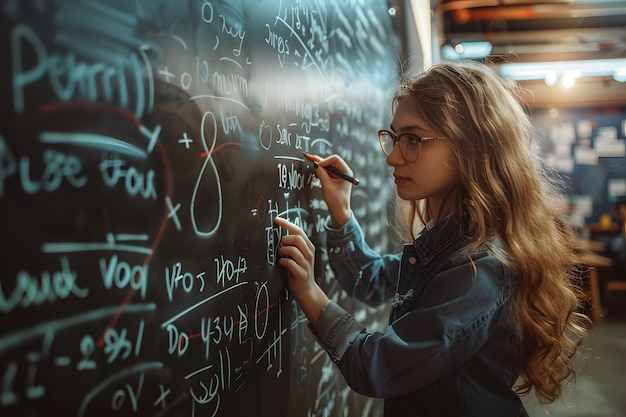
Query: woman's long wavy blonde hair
[(505, 192)]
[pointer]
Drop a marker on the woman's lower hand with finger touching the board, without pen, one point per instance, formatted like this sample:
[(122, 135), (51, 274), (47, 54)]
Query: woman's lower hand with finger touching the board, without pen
[(297, 254)]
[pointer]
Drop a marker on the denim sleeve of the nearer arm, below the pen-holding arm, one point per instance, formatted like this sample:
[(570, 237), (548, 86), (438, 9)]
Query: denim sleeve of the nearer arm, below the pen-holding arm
[(451, 322)]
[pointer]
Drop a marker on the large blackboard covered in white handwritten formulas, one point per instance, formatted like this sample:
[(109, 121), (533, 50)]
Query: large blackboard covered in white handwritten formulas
[(145, 147)]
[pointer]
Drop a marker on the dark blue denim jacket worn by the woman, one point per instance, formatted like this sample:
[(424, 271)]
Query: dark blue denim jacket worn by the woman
[(450, 349)]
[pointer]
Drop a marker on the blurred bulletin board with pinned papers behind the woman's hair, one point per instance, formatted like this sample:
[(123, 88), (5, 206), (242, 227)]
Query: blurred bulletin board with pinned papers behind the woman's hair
[(587, 149)]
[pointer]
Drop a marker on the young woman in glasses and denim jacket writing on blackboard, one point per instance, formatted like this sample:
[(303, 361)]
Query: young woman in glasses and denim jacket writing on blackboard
[(483, 295)]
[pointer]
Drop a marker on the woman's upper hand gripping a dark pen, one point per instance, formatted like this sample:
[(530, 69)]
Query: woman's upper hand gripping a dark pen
[(336, 191)]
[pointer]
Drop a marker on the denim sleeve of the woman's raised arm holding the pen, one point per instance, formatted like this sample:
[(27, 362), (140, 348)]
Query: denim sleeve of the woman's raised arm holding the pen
[(364, 274)]
